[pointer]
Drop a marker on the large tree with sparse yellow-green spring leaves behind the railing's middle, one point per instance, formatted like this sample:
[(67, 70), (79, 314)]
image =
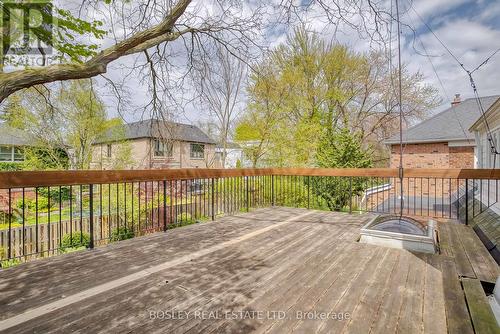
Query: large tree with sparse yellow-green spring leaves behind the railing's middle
[(305, 87)]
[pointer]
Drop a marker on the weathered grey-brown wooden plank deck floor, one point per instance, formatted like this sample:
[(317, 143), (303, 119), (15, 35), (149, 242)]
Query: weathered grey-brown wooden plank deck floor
[(256, 272)]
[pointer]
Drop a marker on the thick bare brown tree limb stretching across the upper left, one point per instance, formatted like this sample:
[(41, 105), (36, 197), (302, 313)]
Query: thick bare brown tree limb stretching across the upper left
[(17, 80)]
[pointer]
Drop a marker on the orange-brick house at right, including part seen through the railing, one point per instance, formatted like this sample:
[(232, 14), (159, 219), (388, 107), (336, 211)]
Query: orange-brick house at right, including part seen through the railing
[(442, 141)]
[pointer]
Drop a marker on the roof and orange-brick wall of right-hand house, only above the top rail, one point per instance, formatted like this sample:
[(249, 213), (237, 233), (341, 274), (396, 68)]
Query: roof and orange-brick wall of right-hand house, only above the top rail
[(442, 141)]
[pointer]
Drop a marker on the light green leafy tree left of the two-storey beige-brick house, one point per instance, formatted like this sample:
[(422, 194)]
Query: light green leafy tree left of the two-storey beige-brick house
[(62, 124)]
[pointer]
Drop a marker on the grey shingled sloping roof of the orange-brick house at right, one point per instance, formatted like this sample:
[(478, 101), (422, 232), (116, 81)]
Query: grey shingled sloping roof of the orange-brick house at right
[(451, 124)]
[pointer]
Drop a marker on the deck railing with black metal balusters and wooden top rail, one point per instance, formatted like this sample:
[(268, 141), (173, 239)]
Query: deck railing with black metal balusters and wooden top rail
[(46, 213)]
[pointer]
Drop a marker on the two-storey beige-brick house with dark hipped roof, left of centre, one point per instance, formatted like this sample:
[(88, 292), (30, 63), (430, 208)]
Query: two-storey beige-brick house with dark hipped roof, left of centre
[(156, 144)]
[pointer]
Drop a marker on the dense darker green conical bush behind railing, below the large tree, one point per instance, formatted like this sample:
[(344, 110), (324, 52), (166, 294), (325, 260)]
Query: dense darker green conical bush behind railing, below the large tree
[(340, 149)]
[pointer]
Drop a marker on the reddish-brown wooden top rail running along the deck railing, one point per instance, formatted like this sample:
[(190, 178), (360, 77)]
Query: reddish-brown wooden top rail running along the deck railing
[(61, 178)]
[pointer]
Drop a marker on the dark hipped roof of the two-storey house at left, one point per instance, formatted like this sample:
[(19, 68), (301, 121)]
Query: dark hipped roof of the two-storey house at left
[(154, 128)]
